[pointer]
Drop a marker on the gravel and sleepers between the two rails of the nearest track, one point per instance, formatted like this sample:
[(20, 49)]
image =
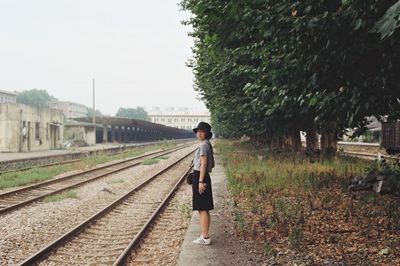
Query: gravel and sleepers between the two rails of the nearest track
[(103, 242)]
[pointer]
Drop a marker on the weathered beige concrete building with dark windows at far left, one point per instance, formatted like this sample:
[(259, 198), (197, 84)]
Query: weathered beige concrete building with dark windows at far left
[(27, 128)]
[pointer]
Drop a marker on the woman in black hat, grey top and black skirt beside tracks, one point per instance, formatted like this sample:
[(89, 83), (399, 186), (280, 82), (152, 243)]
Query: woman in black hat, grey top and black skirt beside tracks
[(202, 199)]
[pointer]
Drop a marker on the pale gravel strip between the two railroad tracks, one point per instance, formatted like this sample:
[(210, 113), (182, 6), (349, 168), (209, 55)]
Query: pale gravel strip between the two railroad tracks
[(26, 230)]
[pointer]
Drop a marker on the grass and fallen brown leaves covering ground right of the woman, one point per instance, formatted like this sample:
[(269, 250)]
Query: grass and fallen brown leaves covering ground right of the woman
[(293, 203)]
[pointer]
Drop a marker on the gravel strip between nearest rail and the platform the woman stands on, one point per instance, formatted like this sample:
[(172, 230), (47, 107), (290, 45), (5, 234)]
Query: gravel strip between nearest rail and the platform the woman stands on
[(162, 244)]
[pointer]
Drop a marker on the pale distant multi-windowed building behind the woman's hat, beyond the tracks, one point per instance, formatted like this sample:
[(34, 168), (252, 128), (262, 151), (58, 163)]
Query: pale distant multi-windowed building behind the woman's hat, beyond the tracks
[(181, 118)]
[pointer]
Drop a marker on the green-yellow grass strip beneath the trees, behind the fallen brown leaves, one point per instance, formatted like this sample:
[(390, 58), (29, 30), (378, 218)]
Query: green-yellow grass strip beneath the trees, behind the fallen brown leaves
[(283, 171)]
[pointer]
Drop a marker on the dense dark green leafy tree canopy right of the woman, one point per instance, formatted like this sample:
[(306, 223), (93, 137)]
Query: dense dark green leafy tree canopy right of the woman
[(271, 68)]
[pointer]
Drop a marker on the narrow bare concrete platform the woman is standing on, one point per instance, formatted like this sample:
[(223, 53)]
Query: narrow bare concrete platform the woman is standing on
[(226, 248)]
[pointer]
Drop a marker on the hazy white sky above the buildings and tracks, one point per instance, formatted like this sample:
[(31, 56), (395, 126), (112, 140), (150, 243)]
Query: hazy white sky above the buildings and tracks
[(135, 50)]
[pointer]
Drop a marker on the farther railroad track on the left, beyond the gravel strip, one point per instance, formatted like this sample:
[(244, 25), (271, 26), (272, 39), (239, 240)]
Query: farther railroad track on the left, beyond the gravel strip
[(14, 199)]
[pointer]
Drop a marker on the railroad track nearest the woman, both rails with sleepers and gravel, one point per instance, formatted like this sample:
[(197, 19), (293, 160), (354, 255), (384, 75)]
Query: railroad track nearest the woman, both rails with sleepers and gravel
[(109, 236)]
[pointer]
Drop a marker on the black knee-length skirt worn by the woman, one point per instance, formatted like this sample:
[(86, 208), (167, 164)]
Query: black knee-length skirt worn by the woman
[(203, 201)]
